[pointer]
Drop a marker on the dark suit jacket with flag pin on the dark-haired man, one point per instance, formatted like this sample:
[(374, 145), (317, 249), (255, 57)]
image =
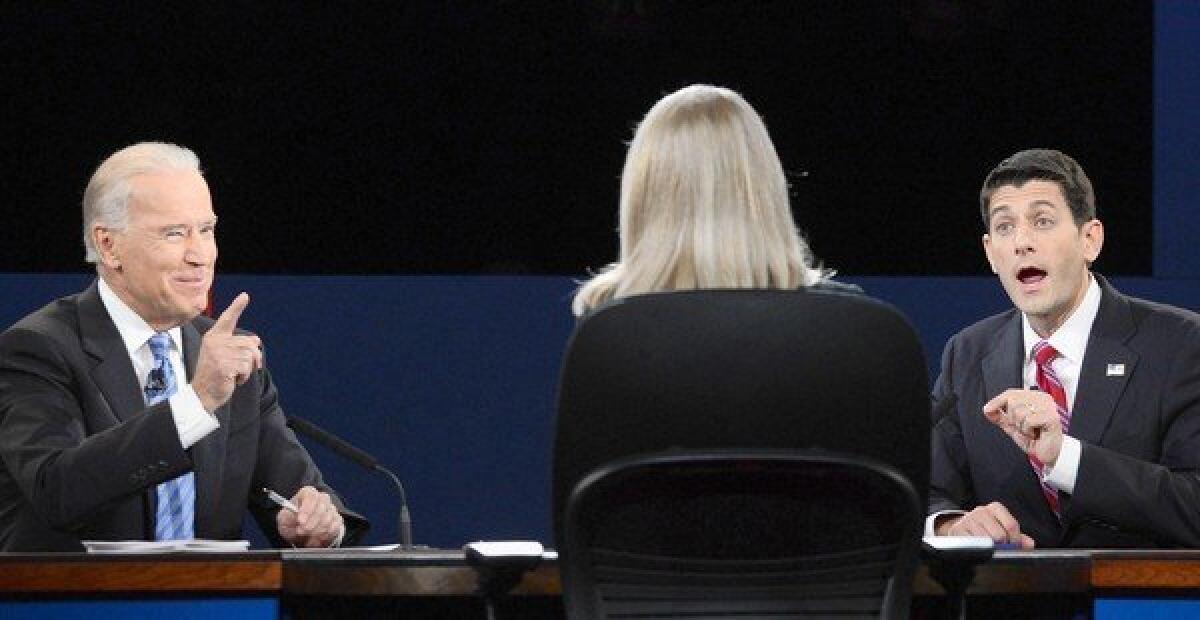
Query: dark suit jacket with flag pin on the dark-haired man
[(1138, 481)]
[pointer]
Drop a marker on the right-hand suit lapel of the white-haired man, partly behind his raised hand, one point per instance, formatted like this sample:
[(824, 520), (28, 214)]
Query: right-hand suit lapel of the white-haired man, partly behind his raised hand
[(208, 454)]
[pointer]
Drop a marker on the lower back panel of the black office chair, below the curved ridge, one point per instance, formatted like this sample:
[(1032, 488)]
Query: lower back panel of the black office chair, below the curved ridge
[(741, 535)]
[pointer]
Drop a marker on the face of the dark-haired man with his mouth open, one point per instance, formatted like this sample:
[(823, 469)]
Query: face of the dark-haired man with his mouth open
[(1040, 254)]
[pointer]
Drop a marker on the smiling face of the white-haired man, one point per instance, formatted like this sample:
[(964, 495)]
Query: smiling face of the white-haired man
[(161, 263)]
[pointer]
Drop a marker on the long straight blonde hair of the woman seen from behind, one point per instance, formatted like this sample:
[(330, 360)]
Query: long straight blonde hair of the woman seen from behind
[(704, 206)]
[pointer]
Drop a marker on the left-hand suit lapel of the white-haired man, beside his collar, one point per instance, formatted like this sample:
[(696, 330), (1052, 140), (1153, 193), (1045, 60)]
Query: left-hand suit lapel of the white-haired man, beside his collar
[(113, 371)]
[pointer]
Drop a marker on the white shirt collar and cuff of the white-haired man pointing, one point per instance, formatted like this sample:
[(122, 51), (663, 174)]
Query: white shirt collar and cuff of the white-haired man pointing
[(193, 422)]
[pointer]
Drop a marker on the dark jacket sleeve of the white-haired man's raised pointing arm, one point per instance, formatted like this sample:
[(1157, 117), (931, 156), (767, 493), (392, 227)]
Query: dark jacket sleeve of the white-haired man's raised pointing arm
[(68, 464)]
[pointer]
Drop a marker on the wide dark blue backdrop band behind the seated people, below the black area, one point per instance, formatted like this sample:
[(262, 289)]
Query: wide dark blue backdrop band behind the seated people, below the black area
[(452, 381)]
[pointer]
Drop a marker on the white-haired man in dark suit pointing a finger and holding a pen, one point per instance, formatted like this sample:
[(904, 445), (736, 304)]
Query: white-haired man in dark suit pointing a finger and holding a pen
[(125, 414)]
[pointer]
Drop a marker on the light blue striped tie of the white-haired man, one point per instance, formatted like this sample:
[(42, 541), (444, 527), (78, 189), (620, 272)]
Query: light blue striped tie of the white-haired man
[(176, 517)]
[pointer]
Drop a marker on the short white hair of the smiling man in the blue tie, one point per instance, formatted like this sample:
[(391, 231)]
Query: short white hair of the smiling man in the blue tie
[(107, 198)]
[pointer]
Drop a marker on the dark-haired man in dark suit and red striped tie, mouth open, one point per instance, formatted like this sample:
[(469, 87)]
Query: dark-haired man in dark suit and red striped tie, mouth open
[(1072, 420)]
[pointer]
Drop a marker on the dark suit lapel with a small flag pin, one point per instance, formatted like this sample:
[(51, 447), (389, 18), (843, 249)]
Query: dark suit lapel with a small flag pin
[(1099, 392)]
